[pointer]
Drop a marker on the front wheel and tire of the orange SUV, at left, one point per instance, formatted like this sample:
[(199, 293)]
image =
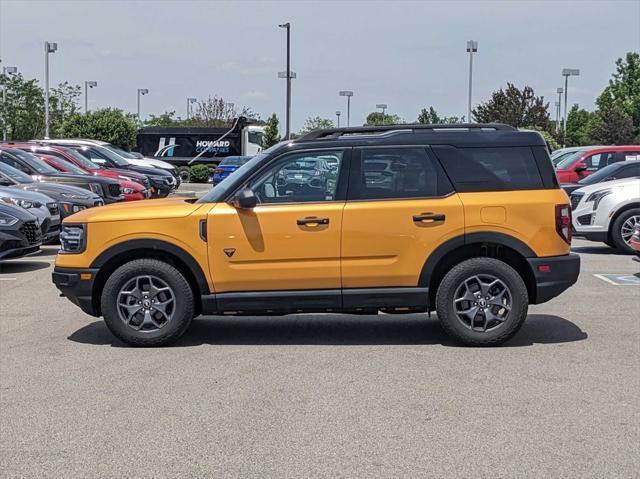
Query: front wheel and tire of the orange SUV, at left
[(143, 278)]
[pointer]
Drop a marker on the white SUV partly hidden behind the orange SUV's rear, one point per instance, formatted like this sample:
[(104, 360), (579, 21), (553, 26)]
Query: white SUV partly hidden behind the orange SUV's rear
[(607, 212)]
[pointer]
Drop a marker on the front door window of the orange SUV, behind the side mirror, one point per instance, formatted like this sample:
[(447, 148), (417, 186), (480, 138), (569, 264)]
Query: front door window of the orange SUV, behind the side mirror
[(299, 178)]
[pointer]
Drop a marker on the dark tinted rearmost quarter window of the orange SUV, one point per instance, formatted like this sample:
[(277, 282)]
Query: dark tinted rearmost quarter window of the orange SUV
[(490, 169)]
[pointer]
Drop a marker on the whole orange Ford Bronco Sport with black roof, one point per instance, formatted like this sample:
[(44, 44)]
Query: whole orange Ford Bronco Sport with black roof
[(466, 220)]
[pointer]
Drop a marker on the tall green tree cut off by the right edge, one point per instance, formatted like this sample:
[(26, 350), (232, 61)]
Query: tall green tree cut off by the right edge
[(623, 91)]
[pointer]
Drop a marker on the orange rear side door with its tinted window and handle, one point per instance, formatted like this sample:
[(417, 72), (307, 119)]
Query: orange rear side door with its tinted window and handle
[(400, 207)]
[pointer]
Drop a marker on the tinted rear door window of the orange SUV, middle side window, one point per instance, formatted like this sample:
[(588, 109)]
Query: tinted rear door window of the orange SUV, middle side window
[(387, 173)]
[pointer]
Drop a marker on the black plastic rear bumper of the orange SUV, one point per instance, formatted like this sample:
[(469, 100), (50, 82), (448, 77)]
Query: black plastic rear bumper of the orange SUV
[(553, 275)]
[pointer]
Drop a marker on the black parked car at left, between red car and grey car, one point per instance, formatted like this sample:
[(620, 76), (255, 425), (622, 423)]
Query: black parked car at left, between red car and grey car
[(107, 188)]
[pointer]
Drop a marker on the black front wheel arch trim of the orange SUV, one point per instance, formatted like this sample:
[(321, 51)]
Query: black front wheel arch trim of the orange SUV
[(111, 259)]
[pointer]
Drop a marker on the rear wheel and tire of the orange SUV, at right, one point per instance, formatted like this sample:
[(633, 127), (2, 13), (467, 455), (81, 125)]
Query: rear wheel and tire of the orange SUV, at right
[(503, 324)]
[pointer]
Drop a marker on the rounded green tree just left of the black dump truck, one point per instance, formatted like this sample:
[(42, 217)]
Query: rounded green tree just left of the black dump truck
[(108, 124)]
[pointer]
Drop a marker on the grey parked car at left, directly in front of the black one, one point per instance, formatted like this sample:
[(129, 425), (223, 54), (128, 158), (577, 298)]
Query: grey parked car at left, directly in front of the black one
[(70, 199)]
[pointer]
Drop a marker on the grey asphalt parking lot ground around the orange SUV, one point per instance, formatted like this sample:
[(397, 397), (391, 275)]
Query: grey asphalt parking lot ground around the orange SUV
[(321, 395)]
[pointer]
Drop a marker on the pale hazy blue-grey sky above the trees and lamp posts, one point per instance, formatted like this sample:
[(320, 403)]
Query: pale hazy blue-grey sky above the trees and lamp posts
[(406, 54)]
